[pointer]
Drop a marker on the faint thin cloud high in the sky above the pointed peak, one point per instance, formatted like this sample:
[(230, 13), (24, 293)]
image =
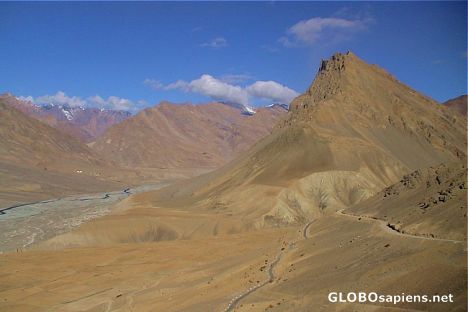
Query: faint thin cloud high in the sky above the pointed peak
[(312, 30)]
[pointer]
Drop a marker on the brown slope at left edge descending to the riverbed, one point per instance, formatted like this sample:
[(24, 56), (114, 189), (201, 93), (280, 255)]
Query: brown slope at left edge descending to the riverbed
[(38, 162)]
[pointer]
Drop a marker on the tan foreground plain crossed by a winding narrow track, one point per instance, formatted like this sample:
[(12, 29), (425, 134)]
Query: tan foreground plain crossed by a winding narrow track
[(296, 268)]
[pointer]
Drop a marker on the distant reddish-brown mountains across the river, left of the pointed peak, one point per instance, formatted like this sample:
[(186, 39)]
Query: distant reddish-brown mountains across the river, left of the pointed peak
[(47, 151)]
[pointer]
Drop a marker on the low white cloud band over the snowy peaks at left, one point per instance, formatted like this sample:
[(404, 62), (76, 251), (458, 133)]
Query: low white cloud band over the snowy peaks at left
[(61, 99)]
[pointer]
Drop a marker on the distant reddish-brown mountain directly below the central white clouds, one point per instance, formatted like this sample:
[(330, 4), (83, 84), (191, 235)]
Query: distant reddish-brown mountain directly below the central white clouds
[(185, 136)]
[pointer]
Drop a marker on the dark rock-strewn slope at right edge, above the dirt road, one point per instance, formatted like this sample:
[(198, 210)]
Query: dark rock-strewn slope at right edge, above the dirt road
[(430, 202)]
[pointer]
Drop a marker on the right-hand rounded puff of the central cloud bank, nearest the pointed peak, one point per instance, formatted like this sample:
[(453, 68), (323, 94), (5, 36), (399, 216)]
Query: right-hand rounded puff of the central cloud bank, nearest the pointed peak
[(272, 90)]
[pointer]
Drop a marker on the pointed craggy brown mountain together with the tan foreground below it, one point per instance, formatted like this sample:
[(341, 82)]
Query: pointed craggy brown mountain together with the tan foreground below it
[(342, 143)]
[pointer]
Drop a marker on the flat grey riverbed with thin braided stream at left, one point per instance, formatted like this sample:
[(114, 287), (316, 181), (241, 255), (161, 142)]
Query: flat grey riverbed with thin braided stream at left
[(24, 225)]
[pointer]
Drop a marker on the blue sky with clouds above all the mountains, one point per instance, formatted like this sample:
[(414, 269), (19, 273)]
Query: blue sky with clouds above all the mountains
[(132, 55)]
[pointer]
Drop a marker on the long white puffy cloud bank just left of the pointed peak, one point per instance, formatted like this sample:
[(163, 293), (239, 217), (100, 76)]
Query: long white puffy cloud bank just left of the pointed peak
[(220, 90)]
